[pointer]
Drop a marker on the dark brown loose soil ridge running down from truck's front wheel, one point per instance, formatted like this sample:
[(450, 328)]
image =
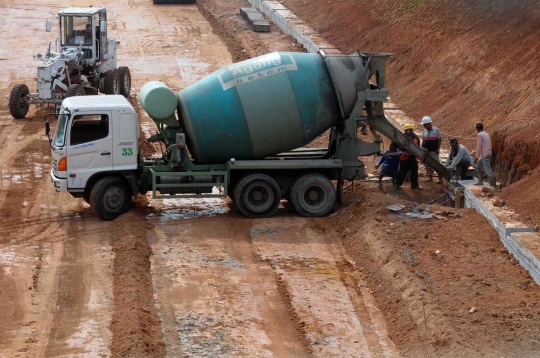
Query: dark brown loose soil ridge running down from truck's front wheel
[(136, 329)]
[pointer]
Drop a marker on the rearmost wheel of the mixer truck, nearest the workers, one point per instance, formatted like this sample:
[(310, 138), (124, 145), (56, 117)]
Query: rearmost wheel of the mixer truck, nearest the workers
[(313, 195)]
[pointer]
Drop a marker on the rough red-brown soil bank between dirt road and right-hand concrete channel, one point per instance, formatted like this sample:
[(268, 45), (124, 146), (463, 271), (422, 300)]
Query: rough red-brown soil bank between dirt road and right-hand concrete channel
[(428, 297)]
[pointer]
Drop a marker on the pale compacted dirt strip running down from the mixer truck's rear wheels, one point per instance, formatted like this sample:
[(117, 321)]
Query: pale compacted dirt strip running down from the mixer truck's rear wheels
[(322, 289)]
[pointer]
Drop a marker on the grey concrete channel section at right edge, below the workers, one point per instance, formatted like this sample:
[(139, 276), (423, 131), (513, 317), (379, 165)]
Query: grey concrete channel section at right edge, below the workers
[(522, 242)]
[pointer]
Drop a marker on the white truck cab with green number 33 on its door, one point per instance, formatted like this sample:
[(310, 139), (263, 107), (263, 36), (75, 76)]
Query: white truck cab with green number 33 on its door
[(95, 136)]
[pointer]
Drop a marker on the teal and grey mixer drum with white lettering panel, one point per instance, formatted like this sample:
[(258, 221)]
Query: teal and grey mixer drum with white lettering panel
[(258, 108)]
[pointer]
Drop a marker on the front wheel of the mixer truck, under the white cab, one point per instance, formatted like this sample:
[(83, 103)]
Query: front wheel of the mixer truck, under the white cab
[(110, 197)]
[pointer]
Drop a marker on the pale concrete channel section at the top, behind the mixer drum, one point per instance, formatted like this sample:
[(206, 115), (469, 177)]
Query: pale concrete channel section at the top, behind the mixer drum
[(290, 24)]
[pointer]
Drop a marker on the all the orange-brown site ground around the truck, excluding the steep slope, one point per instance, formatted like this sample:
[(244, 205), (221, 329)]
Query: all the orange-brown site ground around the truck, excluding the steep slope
[(194, 278)]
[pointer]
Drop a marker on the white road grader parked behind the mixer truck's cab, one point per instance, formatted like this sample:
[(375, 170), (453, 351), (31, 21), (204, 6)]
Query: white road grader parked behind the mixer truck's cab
[(84, 63)]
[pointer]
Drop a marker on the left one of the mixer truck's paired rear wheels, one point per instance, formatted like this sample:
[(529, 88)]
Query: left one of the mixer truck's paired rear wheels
[(257, 195)]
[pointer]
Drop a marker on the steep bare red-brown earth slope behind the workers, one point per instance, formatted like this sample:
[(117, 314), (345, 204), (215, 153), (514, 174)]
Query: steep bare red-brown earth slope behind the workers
[(458, 61)]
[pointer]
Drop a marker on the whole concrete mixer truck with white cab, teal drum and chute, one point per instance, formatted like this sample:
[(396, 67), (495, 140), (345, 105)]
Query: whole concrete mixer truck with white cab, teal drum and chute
[(240, 132)]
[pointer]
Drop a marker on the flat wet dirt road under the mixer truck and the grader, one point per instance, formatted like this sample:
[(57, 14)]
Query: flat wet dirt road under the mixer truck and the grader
[(167, 279)]
